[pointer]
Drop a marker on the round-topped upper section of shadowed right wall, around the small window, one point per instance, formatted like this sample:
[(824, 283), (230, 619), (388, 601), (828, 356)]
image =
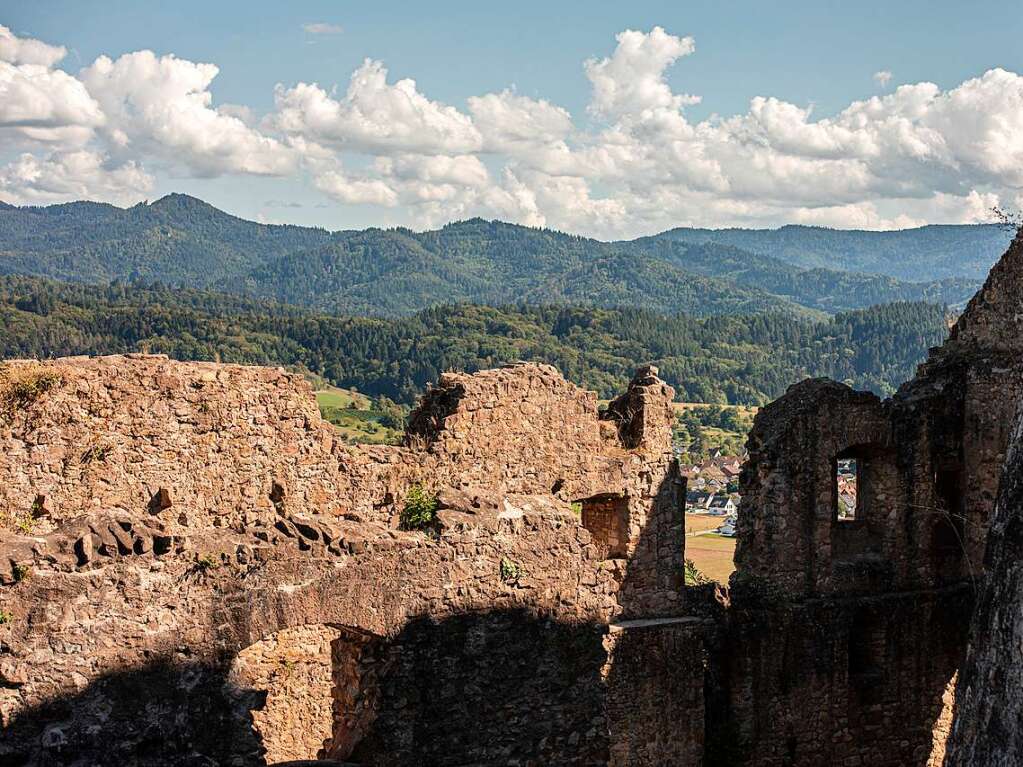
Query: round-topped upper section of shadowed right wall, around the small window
[(790, 539)]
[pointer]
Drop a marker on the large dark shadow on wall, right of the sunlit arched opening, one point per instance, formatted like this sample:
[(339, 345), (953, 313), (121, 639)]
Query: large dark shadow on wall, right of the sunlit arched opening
[(497, 688)]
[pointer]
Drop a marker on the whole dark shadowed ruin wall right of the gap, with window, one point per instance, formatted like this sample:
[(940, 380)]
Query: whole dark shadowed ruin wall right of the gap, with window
[(850, 635)]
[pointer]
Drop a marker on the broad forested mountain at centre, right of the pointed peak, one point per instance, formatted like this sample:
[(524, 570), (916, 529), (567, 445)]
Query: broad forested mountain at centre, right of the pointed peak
[(394, 274)]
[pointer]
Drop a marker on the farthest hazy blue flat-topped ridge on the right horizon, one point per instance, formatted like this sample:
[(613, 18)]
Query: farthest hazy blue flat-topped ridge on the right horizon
[(927, 253)]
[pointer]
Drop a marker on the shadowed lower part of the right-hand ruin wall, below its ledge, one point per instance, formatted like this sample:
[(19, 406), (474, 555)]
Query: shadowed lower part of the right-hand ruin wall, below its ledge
[(843, 682)]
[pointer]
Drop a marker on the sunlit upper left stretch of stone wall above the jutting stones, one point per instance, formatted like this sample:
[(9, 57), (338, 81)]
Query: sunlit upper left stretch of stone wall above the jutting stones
[(116, 431)]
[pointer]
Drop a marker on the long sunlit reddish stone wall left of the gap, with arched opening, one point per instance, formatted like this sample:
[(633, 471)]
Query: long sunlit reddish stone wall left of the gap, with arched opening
[(197, 532)]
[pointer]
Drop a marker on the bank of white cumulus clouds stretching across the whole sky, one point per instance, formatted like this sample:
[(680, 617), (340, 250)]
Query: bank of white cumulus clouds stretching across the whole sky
[(638, 164)]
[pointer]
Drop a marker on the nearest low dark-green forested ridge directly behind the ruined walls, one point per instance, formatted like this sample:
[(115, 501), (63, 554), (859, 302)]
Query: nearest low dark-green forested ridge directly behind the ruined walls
[(741, 360)]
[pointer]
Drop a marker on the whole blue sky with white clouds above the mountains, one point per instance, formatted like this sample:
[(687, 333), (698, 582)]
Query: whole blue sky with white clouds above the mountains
[(609, 120)]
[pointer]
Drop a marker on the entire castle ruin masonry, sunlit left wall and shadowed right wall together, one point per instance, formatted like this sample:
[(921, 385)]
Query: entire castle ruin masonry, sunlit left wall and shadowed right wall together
[(195, 570)]
